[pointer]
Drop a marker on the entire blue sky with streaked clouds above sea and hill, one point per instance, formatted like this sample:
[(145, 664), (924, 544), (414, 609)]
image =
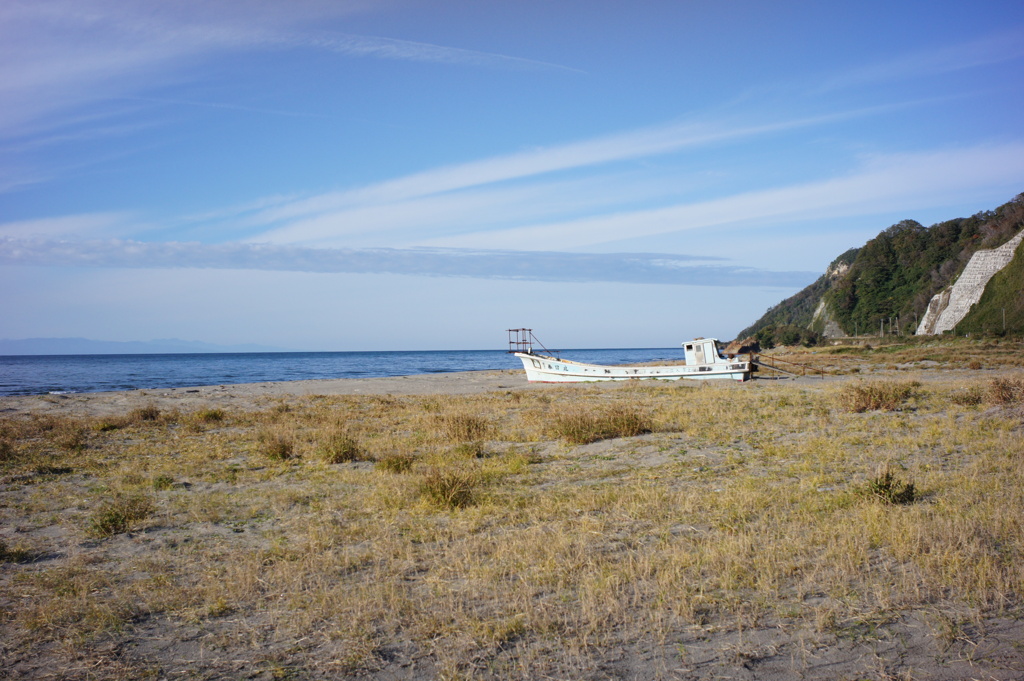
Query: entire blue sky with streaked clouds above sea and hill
[(345, 176)]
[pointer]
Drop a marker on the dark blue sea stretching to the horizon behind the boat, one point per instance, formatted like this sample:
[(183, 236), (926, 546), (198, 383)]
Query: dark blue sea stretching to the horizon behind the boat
[(28, 375)]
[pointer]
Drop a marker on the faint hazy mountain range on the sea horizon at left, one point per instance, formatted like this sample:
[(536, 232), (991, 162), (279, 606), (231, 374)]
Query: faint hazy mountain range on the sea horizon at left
[(88, 347)]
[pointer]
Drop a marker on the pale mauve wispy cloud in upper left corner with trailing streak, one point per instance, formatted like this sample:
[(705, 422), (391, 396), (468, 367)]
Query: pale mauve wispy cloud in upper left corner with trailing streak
[(62, 55)]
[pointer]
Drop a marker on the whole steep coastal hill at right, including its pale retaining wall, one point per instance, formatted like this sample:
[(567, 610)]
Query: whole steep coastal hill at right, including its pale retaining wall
[(965, 276)]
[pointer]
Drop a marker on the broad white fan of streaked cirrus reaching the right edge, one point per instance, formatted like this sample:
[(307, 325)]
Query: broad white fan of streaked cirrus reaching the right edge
[(472, 206)]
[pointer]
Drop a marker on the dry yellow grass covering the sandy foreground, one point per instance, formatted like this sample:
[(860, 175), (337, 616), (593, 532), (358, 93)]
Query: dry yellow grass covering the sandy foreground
[(500, 550)]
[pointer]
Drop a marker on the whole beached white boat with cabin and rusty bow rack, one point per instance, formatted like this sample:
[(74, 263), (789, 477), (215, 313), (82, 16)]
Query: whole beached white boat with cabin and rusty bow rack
[(703, 362)]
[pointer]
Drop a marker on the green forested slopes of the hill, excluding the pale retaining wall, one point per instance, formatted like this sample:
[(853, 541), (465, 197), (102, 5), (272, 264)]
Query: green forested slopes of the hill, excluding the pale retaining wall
[(894, 277)]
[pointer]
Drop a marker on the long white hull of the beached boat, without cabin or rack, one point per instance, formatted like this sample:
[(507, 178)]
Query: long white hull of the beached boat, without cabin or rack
[(542, 369)]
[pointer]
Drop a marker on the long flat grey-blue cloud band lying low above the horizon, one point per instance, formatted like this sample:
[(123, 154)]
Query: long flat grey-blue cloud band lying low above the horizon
[(539, 267)]
